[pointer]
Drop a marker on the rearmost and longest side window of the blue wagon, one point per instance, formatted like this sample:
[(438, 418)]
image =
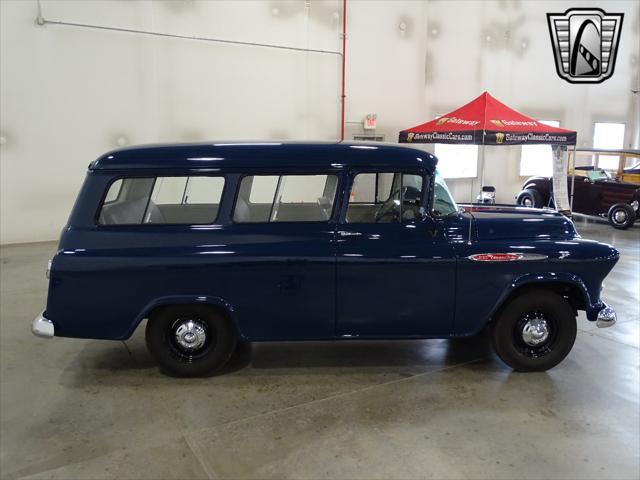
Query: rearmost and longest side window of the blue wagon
[(162, 200)]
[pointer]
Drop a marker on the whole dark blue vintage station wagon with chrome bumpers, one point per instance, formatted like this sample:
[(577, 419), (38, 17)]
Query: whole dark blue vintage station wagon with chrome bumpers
[(222, 243)]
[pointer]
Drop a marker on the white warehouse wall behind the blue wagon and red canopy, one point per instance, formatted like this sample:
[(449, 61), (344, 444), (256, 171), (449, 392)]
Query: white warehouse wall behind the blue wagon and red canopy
[(69, 94)]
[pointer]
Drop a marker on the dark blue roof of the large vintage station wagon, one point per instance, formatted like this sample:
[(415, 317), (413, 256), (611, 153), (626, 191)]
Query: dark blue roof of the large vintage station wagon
[(268, 155)]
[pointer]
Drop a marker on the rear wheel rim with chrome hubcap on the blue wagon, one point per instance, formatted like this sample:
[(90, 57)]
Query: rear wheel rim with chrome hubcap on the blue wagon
[(189, 339)]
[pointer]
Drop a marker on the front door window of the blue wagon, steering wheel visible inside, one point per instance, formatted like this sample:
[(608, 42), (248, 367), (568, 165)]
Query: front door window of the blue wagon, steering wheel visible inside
[(385, 198)]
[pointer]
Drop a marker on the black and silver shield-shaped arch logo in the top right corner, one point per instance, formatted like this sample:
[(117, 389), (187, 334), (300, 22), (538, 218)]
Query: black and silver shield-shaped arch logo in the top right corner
[(585, 43)]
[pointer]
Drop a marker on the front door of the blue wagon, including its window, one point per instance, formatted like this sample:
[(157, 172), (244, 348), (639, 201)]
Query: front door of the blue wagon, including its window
[(395, 268)]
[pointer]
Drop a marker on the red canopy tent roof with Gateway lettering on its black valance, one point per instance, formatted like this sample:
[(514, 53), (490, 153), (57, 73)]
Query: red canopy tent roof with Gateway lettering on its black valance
[(487, 121)]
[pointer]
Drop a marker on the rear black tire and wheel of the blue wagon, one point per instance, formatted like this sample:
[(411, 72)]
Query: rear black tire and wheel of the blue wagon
[(167, 333)]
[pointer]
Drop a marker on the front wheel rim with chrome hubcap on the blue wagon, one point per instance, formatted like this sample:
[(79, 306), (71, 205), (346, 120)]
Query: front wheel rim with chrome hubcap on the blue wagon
[(534, 334)]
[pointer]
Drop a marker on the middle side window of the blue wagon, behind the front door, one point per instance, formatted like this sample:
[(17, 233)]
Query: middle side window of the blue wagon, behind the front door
[(285, 198)]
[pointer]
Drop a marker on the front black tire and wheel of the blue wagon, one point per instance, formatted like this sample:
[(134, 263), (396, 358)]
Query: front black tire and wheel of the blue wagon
[(514, 321)]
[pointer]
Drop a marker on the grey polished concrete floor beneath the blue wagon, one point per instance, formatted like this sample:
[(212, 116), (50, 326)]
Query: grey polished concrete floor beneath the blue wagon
[(428, 409)]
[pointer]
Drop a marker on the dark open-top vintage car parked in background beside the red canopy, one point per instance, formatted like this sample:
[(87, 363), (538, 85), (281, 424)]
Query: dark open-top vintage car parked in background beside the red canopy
[(595, 193)]
